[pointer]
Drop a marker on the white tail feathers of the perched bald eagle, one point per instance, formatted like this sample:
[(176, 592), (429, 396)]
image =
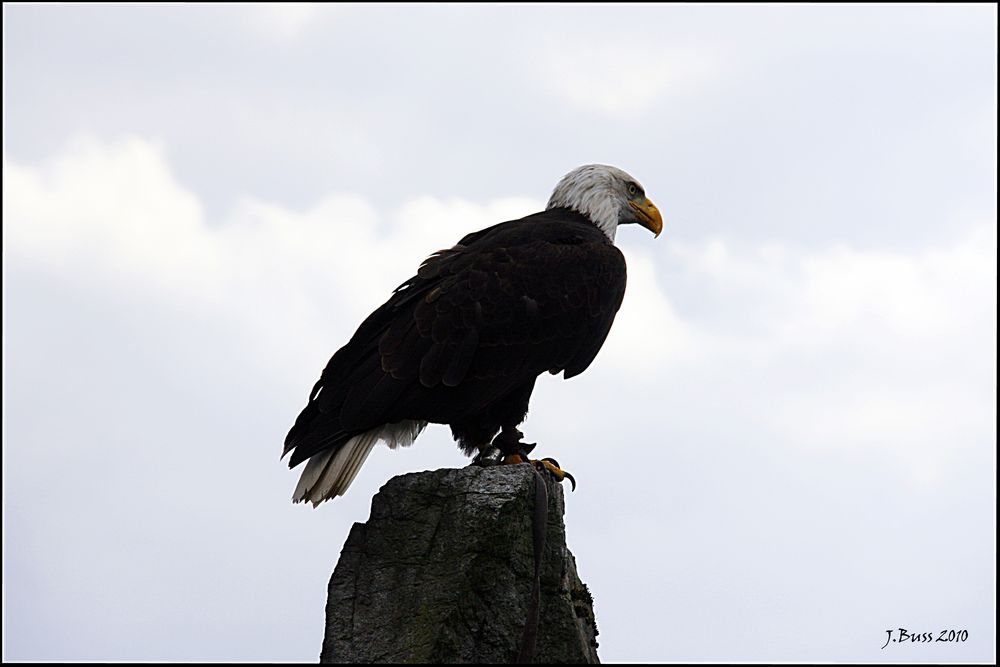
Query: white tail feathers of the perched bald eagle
[(329, 473)]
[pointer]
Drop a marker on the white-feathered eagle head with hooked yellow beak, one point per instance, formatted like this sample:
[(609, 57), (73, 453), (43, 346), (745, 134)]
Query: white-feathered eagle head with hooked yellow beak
[(608, 197)]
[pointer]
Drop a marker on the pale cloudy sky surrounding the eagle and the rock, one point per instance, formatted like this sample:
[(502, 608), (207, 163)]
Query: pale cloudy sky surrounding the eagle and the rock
[(786, 447)]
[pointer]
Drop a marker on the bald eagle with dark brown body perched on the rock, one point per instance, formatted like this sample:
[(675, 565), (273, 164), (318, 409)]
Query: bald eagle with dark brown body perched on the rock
[(463, 341)]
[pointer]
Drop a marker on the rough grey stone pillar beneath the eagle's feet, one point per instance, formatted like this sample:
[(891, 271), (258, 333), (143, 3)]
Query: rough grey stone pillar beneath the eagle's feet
[(442, 572)]
